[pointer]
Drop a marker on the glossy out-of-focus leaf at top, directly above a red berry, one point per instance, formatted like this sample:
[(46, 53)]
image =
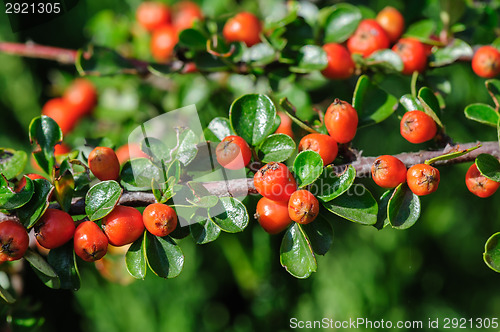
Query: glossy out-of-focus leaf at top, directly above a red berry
[(341, 23)]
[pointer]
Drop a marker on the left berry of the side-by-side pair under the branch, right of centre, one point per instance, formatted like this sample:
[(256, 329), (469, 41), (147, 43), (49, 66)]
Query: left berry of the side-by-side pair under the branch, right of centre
[(388, 171)]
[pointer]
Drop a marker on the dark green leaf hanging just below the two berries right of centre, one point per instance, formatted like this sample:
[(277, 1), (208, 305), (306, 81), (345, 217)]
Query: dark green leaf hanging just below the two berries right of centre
[(403, 209)]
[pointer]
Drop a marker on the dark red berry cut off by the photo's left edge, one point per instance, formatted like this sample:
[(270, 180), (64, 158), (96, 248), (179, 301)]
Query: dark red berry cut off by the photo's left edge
[(14, 240)]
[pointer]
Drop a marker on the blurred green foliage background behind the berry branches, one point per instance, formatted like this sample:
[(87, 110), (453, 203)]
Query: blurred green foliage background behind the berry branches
[(435, 269)]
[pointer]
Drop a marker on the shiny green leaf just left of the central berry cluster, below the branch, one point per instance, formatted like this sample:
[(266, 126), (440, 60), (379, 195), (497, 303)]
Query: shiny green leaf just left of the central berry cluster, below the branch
[(234, 217)]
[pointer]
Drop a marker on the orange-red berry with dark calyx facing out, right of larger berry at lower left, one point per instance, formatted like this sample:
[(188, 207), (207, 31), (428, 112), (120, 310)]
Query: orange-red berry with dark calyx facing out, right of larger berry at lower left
[(159, 219)]
